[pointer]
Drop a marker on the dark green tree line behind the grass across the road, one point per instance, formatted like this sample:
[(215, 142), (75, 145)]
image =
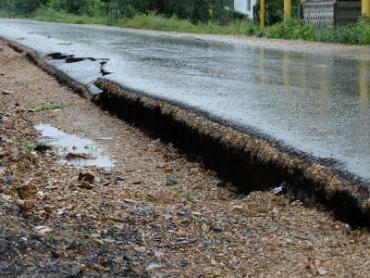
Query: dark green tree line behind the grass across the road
[(194, 10)]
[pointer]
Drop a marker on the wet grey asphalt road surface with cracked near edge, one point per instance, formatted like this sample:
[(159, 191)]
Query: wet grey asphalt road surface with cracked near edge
[(314, 102)]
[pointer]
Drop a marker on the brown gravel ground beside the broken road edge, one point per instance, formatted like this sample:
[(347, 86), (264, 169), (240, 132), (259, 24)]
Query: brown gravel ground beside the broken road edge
[(154, 214)]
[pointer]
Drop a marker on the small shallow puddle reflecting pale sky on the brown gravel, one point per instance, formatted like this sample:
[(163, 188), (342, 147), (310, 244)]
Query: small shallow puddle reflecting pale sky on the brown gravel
[(74, 150)]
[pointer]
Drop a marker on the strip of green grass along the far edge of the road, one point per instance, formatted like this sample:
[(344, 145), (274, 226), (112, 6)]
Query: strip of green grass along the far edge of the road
[(358, 33)]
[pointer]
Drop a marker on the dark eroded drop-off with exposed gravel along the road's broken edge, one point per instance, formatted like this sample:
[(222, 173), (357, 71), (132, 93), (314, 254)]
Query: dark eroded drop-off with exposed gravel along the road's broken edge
[(248, 161)]
